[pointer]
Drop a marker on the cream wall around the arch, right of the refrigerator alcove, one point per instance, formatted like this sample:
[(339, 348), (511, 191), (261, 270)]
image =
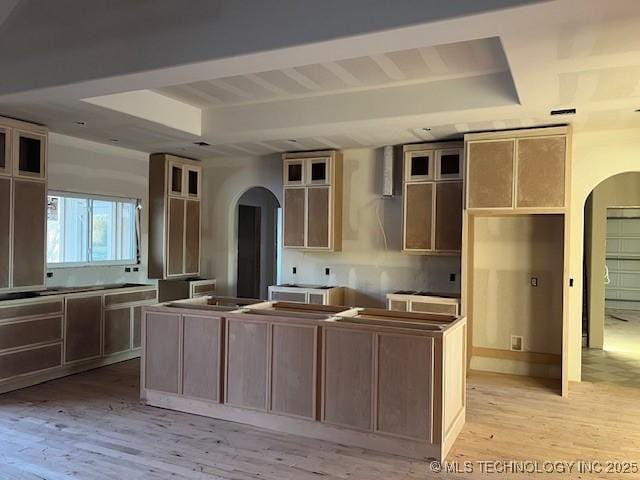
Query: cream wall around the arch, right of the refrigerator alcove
[(596, 157)]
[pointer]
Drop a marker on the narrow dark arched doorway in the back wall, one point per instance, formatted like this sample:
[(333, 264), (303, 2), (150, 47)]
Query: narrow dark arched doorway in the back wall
[(257, 214)]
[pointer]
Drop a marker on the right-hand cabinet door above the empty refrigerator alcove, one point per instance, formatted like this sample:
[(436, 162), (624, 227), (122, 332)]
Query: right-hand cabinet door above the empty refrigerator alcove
[(541, 172)]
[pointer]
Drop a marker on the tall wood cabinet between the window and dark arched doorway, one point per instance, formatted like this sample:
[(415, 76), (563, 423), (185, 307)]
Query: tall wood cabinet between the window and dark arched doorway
[(175, 188)]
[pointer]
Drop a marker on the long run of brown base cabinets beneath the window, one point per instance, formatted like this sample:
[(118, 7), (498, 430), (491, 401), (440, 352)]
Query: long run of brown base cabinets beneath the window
[(55, 335)]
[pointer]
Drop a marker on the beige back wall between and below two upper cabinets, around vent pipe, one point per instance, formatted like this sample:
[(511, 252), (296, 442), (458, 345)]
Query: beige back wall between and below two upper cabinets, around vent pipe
[(369, 268)]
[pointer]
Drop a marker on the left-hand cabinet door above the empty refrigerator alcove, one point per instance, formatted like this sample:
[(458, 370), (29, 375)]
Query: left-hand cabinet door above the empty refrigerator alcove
[(490, 174)]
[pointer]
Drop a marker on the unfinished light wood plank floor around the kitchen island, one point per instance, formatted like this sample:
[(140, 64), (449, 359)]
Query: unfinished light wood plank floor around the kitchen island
[(91, 426)]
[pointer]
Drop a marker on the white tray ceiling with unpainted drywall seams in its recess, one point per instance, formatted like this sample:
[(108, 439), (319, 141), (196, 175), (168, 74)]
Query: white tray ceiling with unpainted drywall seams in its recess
[(505, 68)]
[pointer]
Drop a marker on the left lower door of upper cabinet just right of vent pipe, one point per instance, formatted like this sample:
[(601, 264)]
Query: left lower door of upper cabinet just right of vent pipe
[(418, 216)]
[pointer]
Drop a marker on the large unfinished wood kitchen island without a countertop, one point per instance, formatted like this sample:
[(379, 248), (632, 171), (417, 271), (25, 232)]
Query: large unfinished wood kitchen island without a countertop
[(376, 379)]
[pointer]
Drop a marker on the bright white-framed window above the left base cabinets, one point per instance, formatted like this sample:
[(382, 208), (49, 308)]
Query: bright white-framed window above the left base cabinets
[(85, 230)]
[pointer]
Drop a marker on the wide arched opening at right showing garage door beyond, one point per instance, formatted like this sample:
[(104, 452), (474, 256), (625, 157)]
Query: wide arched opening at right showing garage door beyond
[(611, 324)]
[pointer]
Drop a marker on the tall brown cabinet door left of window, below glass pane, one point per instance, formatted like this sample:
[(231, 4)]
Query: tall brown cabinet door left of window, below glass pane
[(29, 232)]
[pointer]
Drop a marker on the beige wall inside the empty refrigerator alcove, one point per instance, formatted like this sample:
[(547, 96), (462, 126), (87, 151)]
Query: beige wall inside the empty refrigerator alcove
[(508, 253)]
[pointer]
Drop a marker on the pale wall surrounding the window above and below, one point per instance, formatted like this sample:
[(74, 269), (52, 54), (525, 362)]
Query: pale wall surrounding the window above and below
[(81, 166)]
